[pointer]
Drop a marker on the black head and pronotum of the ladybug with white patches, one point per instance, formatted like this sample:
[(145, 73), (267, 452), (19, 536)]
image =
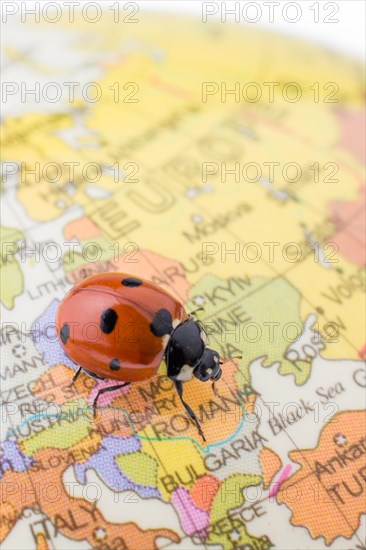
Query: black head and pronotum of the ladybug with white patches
[(187, 355)]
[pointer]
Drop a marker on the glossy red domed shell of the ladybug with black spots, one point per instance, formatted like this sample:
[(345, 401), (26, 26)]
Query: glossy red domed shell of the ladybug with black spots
[(117, 325)]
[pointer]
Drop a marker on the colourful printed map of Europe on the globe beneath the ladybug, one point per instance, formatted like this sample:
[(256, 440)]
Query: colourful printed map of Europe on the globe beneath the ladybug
[(225, 164)]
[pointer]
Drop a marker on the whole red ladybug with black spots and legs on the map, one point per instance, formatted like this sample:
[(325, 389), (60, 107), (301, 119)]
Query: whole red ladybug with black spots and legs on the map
[(120, 327)]
